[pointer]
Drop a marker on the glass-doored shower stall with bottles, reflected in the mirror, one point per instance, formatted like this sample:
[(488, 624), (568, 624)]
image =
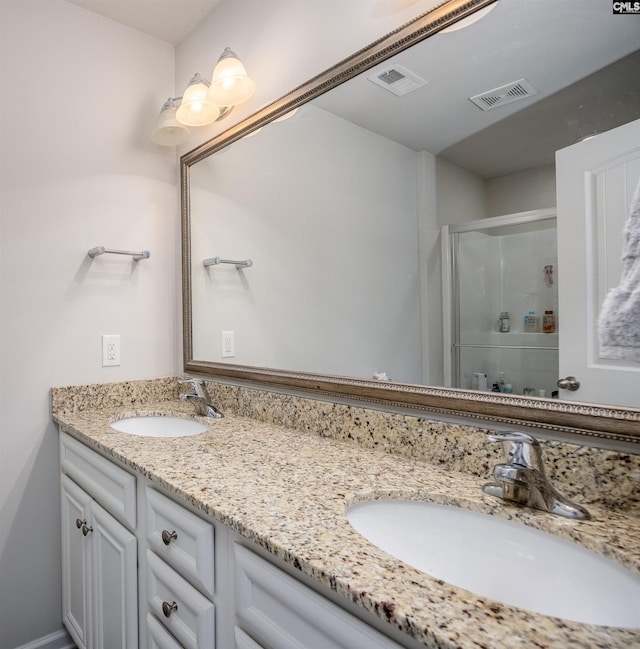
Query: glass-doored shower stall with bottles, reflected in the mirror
[(500, 304)]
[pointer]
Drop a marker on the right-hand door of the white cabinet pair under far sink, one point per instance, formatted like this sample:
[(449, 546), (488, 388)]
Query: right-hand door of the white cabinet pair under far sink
[(115, 584)]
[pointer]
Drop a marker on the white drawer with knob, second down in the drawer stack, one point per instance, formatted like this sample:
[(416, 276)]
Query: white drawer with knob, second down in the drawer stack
[(192, 620)]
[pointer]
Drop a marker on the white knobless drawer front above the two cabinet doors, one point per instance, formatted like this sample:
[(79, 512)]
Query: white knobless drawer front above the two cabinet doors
[(108, 484)]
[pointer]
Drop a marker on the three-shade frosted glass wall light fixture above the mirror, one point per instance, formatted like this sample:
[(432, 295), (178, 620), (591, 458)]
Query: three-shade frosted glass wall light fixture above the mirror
[(204, 102)]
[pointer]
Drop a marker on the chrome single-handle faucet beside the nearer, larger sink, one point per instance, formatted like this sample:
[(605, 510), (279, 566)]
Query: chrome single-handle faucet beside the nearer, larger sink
[(521, 479)]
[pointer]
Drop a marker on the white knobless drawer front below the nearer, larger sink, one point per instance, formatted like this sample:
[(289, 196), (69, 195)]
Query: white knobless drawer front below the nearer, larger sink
[(281, 613)]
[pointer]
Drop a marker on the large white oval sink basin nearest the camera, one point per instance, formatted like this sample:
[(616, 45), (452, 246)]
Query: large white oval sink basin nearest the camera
[(503, 560)]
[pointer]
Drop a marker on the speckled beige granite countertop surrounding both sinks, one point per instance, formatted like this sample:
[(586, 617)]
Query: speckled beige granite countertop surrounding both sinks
[(287, 491)]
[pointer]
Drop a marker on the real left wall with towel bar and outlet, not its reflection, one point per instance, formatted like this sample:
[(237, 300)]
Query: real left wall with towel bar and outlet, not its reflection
[(79, 93)]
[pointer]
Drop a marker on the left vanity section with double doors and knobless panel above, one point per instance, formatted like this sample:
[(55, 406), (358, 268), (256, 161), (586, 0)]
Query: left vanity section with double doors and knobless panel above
[(99, 554)]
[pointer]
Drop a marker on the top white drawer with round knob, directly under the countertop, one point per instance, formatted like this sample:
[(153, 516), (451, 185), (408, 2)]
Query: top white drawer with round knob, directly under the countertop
[(182, 539)]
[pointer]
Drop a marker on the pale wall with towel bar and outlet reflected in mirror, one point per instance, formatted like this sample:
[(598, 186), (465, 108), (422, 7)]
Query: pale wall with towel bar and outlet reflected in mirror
[(327, 212)]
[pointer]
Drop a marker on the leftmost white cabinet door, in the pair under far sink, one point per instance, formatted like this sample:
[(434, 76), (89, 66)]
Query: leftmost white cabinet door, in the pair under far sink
[(76, 557)]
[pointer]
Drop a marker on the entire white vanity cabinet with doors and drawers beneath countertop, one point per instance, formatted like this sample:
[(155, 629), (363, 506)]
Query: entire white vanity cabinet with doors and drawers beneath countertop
[(141, 569)]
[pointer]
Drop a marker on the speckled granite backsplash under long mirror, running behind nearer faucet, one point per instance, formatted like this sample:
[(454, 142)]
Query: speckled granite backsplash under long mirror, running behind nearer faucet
[(590, 475)]
